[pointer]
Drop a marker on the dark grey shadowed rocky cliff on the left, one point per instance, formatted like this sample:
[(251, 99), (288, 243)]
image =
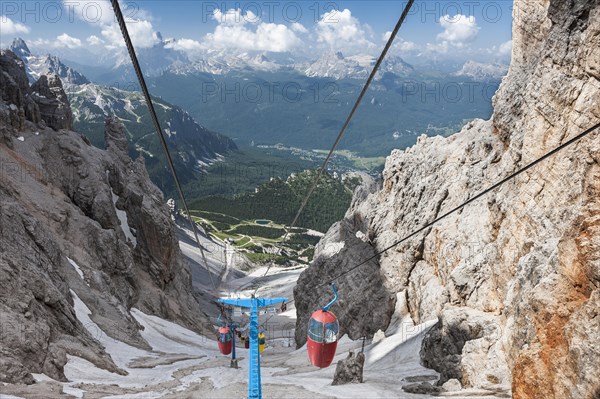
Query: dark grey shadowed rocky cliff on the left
[(76, 219)]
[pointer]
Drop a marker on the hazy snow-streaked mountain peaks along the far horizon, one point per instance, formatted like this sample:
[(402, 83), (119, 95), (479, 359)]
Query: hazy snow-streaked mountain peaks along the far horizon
[(165, 58)]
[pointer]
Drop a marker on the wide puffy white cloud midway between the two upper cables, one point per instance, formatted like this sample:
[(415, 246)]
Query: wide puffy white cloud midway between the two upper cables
[(235, 32)]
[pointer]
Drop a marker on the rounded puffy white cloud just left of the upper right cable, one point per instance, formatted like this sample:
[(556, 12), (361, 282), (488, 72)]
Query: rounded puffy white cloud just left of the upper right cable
[(341, 31)]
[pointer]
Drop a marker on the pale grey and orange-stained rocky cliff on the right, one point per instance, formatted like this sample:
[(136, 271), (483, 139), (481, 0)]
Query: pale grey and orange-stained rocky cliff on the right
[(513, 278)]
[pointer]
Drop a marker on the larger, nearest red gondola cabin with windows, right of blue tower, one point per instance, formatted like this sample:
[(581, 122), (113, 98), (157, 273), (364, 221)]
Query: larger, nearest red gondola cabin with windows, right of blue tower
[(323, 328)]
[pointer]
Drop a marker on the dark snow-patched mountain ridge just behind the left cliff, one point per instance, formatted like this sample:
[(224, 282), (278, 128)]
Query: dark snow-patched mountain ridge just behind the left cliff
[(193, 146)]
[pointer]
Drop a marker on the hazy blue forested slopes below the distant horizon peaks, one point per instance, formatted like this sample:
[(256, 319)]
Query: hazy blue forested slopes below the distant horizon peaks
[(307, 112)]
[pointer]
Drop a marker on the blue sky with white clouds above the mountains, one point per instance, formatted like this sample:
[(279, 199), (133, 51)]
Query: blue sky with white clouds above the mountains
[(473, 29)]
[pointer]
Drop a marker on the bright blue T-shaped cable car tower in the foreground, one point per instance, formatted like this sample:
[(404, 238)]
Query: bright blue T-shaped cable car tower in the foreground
[(254, 384)]
